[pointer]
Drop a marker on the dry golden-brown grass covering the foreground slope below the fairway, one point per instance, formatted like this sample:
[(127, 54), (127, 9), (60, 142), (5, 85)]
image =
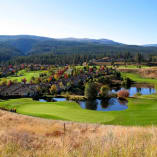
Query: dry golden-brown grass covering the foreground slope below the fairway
[(23, 136)]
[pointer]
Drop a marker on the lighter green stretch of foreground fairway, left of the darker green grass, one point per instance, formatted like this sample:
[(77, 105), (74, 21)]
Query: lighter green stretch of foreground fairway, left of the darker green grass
[(70, 111)]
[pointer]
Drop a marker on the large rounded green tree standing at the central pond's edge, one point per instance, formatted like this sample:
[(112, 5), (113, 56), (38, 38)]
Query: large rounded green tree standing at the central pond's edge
[(90, 91)]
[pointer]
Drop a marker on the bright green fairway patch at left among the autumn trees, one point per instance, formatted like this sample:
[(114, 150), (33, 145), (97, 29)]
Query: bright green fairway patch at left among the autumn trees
[(24, 74)]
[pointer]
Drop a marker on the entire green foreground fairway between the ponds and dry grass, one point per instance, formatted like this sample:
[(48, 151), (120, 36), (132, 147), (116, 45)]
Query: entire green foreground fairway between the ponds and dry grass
[(141, 111)]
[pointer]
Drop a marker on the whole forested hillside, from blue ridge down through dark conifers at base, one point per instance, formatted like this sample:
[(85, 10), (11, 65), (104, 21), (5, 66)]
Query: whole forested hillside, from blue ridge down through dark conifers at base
[(35, 49)]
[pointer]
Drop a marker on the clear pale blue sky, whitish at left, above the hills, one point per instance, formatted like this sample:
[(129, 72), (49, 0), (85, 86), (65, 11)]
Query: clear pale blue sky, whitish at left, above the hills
[(125, 21)]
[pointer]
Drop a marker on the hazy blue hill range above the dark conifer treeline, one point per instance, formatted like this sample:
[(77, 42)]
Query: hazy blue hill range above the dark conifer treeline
[(24, 45)]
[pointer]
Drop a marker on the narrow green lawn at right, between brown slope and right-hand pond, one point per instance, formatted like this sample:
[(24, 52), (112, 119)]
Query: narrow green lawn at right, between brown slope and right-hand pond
[(137, 78)]
